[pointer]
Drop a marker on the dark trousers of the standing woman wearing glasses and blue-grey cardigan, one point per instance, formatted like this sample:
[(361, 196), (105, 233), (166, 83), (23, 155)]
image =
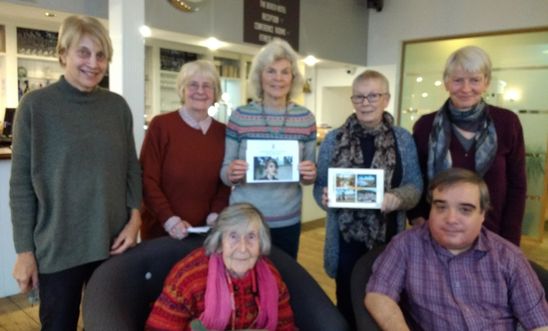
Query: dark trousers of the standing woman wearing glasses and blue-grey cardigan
[(349, 253)]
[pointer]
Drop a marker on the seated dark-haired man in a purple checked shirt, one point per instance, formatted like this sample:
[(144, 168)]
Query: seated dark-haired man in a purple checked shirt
[(455, 274)]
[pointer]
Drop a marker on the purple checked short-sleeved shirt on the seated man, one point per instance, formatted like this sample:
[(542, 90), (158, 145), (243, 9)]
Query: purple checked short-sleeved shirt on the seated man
[(489, 287)]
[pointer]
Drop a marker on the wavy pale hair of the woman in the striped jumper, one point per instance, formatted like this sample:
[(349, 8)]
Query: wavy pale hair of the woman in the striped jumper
[(275, 50)]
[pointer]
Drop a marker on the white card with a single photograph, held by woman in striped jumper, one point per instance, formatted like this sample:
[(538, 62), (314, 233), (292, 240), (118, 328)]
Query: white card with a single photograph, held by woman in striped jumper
[(272, 161)]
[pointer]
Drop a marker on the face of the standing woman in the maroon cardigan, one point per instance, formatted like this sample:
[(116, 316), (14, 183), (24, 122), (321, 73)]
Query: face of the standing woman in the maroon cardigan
[(466, 89)]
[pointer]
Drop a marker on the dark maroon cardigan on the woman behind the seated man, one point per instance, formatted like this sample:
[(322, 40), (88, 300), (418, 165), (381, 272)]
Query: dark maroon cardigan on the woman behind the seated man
[(506, 178)]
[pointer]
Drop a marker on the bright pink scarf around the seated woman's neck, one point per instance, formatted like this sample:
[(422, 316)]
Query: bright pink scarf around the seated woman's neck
[(217, 311)]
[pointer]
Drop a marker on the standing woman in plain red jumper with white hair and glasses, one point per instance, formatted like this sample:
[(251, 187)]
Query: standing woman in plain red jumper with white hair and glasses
[(181, 156)]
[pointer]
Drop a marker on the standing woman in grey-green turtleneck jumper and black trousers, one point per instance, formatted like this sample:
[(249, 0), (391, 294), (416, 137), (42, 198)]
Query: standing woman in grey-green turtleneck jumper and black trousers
[(75, 185)]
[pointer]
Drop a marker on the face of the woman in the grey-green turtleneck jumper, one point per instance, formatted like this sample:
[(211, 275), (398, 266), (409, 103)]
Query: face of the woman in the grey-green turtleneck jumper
[(85, 64)]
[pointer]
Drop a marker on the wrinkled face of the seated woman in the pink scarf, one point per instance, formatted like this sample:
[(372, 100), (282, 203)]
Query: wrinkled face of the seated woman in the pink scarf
[(241, 249)]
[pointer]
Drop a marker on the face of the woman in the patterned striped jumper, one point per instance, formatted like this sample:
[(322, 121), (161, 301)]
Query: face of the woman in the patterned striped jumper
[(276, 80)]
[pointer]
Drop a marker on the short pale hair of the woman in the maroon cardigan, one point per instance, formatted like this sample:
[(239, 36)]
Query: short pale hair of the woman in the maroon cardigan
[(471, 59)]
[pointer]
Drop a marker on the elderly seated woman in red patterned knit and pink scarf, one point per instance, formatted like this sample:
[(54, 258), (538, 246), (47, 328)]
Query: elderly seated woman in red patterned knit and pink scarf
[(228, 283)]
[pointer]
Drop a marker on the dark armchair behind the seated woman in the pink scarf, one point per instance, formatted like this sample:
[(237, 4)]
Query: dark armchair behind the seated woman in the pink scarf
[(120, 293)]
